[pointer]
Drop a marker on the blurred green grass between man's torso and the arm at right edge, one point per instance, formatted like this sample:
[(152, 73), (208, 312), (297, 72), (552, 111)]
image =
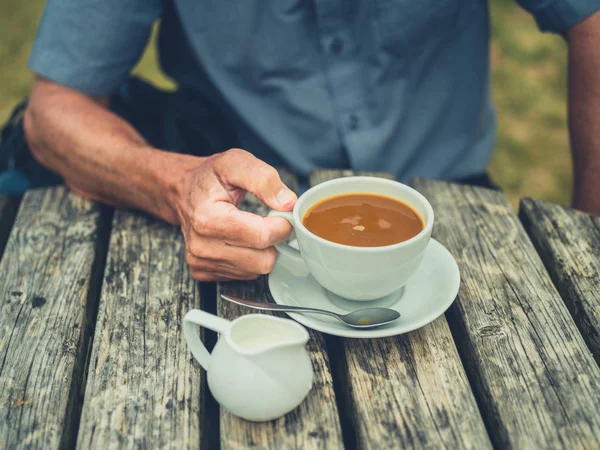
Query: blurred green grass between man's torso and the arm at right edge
[(529, 89)]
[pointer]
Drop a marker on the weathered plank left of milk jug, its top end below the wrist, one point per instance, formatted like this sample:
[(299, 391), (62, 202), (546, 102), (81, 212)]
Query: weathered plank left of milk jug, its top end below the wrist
[(144, 389)]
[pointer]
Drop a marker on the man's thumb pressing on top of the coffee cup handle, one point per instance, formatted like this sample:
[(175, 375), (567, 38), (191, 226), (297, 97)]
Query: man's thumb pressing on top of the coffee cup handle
[(241, 169)]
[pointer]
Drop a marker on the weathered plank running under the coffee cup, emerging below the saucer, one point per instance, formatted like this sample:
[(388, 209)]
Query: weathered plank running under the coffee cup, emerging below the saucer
[(408, 391)]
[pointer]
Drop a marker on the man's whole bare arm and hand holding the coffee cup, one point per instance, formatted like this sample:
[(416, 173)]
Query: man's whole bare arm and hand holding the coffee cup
[(102, 157)]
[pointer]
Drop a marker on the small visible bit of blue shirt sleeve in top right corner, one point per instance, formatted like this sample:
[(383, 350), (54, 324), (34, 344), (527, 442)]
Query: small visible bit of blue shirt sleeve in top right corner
[(558, 16)]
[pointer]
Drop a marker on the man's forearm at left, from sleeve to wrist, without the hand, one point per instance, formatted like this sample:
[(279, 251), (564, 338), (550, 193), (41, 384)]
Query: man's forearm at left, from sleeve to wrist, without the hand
[(98, 154)]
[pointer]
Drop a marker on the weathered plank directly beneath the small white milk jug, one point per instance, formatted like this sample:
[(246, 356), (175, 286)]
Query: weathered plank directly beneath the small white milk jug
[(315, 423)]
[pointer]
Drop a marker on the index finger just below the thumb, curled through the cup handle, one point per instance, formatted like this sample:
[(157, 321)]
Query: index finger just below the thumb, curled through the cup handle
[(226, 223)]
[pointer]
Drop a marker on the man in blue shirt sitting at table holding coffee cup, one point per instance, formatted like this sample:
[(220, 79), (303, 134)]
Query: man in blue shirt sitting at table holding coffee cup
[(395, 85)]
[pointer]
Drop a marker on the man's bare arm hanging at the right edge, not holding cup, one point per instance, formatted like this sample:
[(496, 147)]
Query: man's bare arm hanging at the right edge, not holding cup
[(584, 112)]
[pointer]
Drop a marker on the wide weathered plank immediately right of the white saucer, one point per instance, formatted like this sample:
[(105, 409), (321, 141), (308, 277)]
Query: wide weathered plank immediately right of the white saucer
[(537, 383)]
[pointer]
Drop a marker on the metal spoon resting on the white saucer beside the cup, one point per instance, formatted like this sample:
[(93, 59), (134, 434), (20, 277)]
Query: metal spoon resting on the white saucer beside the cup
[(362, 318)]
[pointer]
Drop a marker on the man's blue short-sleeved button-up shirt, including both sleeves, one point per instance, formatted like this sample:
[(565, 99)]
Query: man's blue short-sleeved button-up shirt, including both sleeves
[(392, 85)]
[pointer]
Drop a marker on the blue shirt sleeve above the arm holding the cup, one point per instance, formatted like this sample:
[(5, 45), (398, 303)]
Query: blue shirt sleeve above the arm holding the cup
[(92, 45)]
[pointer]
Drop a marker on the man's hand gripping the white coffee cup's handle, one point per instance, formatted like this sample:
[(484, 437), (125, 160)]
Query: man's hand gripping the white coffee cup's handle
[(223, 242)]
